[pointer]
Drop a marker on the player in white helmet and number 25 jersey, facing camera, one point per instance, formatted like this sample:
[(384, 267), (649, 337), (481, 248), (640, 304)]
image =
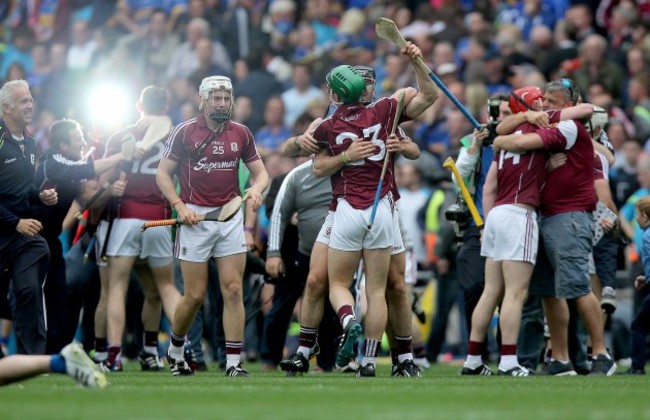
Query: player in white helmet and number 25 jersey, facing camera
[(205, 153)]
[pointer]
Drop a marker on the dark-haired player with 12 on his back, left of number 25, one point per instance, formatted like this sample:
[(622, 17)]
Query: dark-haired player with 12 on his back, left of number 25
[(149, 252)]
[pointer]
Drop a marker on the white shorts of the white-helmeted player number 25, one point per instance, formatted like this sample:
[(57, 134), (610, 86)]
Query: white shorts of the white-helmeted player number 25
[(200, 242)]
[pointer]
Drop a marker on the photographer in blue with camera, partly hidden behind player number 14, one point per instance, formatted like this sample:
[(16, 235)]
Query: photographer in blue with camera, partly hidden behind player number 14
[(476, 155)]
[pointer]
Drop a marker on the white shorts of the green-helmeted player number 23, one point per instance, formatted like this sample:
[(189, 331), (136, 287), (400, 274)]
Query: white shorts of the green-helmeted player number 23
[(350, 229)]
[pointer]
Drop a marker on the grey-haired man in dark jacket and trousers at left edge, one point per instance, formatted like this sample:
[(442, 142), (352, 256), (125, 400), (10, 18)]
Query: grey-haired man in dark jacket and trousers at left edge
[(24, 254)]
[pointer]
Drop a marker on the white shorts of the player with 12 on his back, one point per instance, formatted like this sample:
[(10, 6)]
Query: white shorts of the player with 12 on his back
[(128, 240)]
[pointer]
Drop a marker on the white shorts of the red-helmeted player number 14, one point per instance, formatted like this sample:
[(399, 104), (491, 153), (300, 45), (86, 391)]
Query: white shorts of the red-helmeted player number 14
[(510, 234)]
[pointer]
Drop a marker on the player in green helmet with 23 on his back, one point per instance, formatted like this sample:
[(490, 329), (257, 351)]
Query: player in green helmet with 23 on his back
[(353, 189)]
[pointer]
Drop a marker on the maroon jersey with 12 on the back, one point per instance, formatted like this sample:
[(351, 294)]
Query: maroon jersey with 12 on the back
[(142, 198)]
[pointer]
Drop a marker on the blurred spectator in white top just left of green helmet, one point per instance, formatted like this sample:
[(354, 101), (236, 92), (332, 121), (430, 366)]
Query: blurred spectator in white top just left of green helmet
[(298, 97)]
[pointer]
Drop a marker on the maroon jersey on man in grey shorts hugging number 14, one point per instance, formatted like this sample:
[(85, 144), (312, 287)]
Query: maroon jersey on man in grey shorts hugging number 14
[(571, 186)]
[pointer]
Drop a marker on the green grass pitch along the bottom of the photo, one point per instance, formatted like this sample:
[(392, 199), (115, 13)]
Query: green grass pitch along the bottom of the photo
[(441, 393)]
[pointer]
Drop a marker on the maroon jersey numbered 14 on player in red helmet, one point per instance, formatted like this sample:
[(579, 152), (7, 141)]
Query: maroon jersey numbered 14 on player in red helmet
[(520, 177)]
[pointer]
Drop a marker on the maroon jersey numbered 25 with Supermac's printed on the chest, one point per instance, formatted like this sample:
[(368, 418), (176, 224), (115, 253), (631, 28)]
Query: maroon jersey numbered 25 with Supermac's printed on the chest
[(209, 177)]
